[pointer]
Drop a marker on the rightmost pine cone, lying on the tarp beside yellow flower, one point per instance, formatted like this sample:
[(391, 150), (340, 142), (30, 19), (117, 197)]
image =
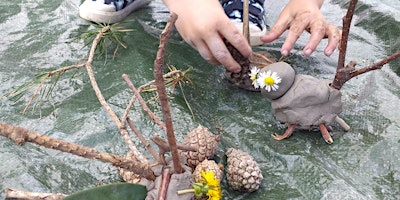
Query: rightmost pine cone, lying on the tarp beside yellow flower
[(242, 171)]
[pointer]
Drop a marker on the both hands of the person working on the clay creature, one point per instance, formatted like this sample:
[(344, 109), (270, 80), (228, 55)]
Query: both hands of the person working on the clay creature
[(203, 24)]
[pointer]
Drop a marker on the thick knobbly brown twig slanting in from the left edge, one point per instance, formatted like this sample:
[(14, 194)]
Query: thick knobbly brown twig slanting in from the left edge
[(21, 135)]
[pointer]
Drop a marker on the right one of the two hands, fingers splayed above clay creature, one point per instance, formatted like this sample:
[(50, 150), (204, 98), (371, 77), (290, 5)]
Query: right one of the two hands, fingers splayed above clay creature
[(300, 15)]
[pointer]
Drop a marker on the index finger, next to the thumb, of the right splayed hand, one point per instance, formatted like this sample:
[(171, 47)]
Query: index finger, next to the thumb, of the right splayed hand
[(295, 30)]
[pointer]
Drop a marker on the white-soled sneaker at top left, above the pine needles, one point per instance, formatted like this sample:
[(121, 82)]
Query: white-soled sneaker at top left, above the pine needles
[(109, 11)]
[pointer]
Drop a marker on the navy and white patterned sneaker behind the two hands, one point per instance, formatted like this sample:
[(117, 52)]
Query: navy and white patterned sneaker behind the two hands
[(257, 28)]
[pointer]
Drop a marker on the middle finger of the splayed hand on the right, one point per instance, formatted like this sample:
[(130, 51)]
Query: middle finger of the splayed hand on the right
[(317, 31)]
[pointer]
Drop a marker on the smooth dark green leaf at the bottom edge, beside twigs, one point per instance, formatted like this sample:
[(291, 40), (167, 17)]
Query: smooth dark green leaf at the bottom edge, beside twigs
[(115, 191)]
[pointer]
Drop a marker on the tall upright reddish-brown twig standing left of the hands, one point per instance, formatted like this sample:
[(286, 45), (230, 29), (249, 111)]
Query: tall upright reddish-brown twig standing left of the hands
[(162, 93)]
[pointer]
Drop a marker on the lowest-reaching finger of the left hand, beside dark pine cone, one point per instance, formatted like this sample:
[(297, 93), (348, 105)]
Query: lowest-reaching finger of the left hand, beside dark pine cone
[(222, 55)]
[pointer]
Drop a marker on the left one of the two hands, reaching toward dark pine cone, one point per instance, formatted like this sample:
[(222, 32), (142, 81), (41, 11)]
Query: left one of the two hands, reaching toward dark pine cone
[(204, 25)]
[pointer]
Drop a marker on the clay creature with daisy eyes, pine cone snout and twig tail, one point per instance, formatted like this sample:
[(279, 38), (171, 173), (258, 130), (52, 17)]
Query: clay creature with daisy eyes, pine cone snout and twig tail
[(300, 101)]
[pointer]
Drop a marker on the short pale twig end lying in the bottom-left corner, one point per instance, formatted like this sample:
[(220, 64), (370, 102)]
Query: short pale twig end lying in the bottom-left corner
[(18, 194)]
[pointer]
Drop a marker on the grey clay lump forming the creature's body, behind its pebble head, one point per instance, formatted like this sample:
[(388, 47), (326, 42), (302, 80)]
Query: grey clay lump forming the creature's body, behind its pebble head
[(308, 103)]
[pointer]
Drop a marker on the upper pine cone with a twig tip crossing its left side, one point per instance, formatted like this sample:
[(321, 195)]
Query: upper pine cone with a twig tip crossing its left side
[(204, 141)]
